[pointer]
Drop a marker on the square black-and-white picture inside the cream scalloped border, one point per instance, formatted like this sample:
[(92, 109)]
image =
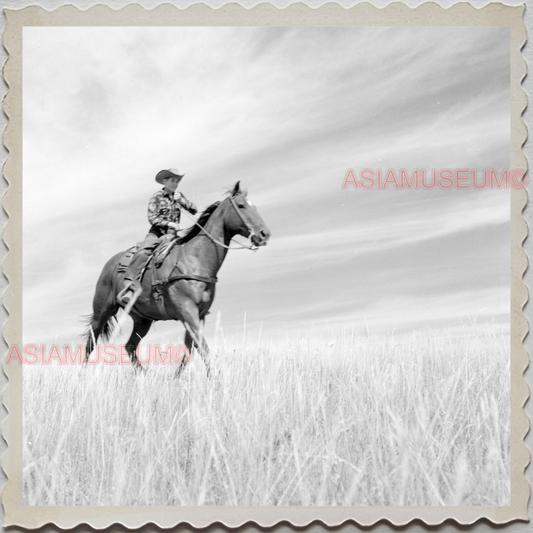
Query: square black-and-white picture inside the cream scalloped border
[(266, 266)]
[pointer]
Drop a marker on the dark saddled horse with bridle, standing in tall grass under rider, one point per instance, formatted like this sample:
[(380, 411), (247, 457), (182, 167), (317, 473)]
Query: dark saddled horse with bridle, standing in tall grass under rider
[(183, 287)]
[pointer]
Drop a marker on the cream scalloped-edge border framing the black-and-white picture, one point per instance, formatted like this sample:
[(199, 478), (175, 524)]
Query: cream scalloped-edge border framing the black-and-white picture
[(462, 14)]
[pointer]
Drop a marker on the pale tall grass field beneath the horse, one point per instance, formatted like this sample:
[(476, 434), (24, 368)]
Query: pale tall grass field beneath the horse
[(416, 419)]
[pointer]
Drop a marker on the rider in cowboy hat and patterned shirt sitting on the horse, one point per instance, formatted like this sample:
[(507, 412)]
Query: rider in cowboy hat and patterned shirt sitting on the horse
[(164, 213)]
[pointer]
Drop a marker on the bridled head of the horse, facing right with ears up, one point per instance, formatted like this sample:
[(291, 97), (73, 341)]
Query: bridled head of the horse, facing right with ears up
[(243, 218)]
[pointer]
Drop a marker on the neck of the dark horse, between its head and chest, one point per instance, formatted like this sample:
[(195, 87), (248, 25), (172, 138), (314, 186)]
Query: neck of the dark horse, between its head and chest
[(212, 255)]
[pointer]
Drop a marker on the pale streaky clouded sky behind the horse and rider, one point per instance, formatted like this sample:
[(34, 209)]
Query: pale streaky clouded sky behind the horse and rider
[(287, 112)]
